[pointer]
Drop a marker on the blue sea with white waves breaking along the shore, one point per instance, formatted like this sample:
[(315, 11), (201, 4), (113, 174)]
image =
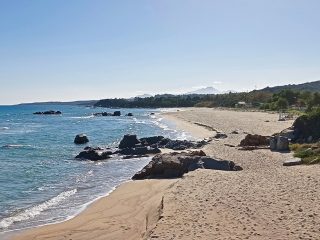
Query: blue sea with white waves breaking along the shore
[(41, 182)]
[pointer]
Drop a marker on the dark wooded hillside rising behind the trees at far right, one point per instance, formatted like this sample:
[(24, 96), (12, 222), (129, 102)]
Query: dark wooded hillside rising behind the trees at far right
[(309, 86)]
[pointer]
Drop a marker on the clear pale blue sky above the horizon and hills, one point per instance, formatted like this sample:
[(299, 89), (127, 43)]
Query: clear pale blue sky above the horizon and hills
[(92, 49)]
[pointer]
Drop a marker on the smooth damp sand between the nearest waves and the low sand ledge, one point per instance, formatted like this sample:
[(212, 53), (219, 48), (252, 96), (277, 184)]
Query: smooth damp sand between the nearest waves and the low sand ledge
[(126, 196)]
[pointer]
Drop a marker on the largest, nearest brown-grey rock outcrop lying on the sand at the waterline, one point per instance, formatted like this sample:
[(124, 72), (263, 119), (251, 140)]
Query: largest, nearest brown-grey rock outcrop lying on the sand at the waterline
[(172, 165)]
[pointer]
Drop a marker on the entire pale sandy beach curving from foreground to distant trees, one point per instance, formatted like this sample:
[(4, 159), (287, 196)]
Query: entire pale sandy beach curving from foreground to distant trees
[(264, 201)]
